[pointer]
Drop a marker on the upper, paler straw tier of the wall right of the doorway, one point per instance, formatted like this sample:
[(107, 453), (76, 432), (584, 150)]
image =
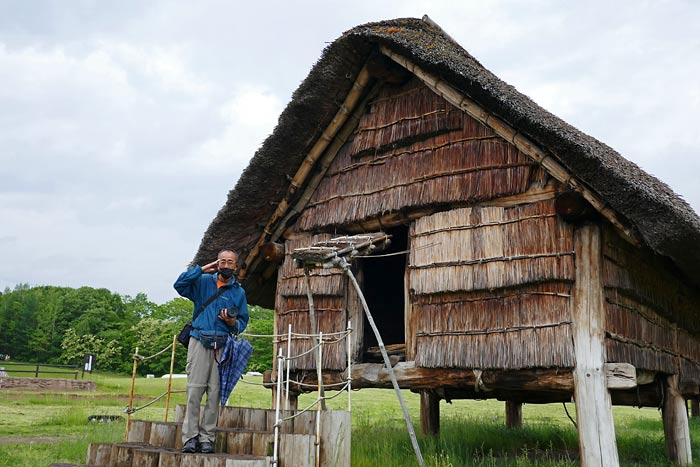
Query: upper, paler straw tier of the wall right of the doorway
[(490, 247)]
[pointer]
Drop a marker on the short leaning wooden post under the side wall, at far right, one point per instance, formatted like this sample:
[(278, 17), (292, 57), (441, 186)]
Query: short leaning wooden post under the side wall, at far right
[(676, 430)]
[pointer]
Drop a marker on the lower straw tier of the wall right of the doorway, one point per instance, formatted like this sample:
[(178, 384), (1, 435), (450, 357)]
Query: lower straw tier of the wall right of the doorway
[(520, 327)]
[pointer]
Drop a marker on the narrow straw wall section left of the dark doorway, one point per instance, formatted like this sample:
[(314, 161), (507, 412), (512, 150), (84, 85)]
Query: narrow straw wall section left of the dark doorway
[(329, 294)]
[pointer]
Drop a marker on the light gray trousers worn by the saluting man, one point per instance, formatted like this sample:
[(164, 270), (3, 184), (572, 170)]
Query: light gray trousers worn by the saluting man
[(202, 376)]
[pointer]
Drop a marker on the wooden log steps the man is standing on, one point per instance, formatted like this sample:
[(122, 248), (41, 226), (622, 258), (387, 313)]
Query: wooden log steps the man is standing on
[(244, 438)]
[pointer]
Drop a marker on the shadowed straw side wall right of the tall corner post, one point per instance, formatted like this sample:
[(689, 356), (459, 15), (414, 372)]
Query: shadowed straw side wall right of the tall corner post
[(649, 312)]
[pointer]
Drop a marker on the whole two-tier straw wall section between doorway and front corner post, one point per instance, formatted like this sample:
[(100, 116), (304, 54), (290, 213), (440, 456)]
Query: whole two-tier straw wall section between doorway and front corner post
[(492, 288)]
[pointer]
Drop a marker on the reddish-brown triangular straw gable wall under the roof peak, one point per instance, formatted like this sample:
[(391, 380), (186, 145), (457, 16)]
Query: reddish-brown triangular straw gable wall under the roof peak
[(412, 148)]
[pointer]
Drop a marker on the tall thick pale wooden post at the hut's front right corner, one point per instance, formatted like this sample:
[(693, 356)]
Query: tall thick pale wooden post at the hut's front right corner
[(596, 431)]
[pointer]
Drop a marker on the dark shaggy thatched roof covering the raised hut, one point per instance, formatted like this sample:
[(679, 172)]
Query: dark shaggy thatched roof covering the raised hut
[(661, 219)]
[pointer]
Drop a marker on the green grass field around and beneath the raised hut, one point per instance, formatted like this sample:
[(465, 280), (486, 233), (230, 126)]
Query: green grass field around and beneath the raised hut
[(472, 432)]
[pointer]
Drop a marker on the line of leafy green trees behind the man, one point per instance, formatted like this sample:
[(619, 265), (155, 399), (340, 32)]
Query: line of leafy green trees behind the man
[(49, 324)]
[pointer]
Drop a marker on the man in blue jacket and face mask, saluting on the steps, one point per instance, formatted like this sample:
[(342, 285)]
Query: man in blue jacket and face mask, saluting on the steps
[(224, 311)]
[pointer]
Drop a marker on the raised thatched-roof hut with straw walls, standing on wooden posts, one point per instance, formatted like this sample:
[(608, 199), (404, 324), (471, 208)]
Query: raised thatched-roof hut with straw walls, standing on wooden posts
[(529, 261)]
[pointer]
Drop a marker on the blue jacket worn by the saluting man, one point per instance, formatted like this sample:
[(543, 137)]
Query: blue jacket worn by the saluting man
[(199, 288)]
